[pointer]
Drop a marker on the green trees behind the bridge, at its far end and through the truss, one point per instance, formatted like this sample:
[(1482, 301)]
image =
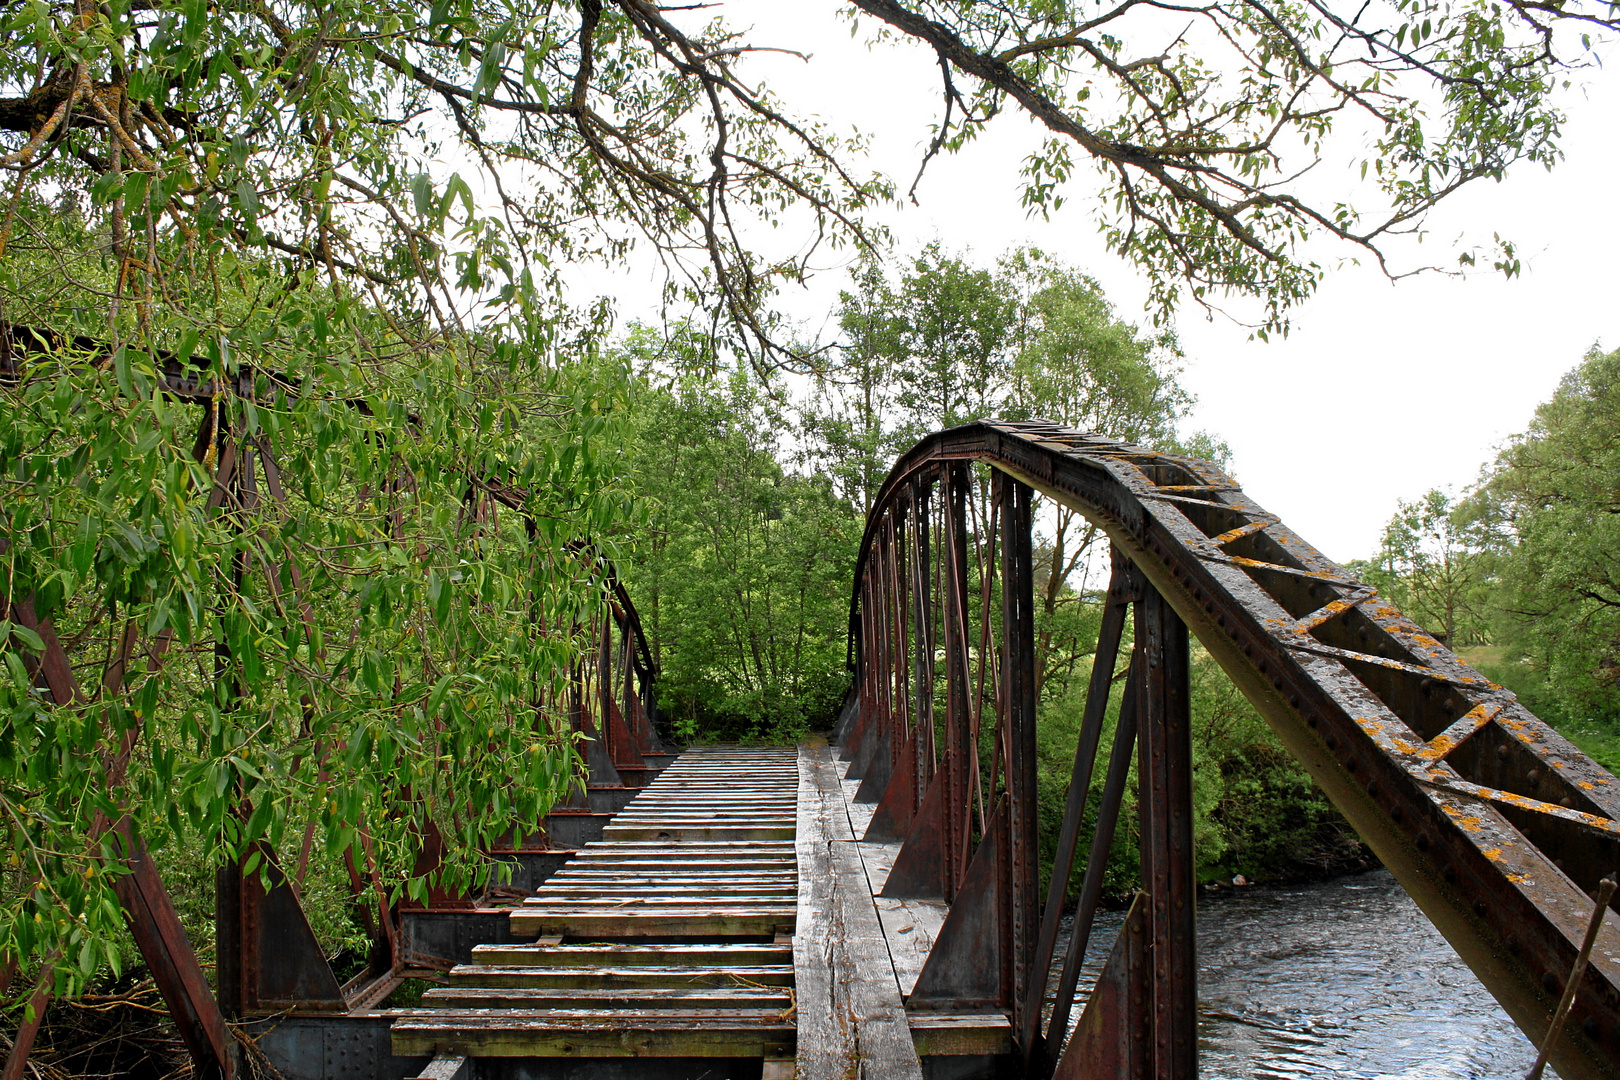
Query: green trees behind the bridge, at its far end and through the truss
[(756, 488)]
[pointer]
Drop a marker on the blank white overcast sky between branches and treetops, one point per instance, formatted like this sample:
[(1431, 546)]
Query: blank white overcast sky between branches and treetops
[(1379, 394)]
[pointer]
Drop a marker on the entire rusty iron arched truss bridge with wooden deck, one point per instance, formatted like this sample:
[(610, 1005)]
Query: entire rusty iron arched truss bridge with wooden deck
[(869, 906)]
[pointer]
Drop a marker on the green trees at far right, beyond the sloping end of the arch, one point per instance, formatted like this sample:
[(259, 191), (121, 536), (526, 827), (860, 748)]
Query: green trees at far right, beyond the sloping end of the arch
[(1522, 572)]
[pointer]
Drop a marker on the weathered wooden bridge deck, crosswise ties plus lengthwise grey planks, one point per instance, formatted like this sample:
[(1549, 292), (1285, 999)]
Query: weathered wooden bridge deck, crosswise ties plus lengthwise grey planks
[(727, 912)]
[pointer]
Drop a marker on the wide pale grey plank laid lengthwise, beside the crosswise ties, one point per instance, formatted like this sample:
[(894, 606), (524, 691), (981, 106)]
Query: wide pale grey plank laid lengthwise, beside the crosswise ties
[(851, 1014)]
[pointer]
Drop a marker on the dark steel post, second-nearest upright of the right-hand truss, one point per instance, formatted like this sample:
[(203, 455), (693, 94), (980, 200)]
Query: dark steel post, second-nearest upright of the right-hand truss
[(1021, 865)]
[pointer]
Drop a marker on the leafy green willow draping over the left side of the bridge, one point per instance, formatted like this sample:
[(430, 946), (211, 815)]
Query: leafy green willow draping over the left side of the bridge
[(339, 597)]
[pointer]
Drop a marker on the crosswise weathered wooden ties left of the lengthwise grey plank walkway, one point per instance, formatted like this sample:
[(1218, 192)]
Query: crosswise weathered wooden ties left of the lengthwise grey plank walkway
[(671, 937)]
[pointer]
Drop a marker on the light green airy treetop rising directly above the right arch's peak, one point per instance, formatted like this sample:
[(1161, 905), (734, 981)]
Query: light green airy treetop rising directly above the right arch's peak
[(949, 342)]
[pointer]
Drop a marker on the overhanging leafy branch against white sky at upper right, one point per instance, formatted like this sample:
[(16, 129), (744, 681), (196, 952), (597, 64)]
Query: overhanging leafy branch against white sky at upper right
[(1203, 129)]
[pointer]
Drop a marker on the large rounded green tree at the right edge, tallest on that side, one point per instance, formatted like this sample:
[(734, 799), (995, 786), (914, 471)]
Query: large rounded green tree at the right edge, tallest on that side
[(1553, 506)]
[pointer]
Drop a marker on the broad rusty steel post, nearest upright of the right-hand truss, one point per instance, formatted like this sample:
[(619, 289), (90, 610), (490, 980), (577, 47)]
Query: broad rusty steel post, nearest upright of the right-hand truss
[(1167, 835)]
